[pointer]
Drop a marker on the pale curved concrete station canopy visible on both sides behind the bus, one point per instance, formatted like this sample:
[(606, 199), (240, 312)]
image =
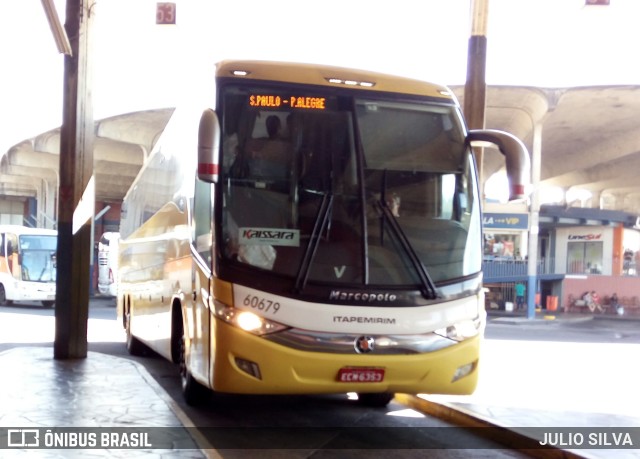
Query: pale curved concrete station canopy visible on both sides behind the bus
[(589, 141)]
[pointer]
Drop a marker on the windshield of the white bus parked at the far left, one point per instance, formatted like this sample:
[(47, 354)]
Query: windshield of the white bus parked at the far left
[(38, 254)]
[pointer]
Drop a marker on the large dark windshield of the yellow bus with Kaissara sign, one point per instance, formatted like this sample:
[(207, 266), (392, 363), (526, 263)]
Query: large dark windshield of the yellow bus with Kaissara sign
[(331, 188)]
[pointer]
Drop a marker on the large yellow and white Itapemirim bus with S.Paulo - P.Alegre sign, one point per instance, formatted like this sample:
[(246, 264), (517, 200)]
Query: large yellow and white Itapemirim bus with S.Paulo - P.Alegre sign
[(316, 230)]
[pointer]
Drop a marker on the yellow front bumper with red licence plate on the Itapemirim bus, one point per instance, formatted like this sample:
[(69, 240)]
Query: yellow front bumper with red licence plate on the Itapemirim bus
[(247, 364)]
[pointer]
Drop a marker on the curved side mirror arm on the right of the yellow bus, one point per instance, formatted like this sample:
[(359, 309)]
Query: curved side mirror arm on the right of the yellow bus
[(516, 156)]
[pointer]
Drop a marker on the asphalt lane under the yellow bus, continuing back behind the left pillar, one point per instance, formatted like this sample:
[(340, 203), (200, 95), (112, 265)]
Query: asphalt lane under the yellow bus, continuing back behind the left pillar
[(336, 421)]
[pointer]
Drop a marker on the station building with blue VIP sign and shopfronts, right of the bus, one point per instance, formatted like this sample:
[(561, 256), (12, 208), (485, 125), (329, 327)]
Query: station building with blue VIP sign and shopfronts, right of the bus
[(579, 250)]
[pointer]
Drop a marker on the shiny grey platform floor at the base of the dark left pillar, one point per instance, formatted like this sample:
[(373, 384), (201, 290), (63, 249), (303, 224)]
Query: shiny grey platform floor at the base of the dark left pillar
[(85, 398)]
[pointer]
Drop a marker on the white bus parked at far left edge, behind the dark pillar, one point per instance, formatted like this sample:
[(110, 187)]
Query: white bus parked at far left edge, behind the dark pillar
[(27, 264)]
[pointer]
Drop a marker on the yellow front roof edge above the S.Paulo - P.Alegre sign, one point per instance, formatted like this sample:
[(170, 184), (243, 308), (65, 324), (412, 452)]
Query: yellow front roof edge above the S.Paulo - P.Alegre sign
[(324, 75)]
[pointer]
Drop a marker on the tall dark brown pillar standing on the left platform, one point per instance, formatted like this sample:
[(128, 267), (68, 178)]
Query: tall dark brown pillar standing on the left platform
[(76, 199)]
